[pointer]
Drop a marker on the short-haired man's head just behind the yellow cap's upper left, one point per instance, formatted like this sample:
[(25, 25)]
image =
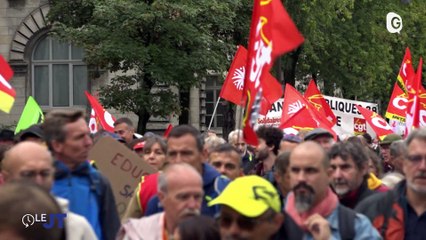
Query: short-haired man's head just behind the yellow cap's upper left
[(227, 160)]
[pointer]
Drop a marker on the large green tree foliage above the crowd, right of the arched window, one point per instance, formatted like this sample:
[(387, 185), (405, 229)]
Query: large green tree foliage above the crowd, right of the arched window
[(156, 43)]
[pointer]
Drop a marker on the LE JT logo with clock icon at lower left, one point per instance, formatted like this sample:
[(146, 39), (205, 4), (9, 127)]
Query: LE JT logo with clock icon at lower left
[(47, 220)]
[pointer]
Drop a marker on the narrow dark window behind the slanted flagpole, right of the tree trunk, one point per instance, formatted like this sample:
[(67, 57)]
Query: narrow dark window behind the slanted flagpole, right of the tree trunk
[(213, 87)]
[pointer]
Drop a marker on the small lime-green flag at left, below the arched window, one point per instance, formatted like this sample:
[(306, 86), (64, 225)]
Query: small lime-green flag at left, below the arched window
[(32, 114)]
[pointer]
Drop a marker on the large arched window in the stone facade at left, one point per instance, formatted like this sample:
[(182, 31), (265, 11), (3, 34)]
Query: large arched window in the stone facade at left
[(59, 74)]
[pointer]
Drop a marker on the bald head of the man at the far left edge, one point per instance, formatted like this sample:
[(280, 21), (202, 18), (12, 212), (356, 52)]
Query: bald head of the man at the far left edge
[(29, 161)]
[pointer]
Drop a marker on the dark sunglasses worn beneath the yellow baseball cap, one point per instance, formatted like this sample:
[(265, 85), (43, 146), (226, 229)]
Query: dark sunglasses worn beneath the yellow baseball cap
[(244, 223)]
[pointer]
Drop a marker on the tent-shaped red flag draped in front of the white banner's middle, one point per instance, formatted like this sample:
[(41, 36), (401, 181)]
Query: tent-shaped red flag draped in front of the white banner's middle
[(305, 120)]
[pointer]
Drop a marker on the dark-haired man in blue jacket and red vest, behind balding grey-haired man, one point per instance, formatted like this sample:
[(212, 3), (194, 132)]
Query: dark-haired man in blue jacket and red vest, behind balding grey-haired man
[(185, 144)]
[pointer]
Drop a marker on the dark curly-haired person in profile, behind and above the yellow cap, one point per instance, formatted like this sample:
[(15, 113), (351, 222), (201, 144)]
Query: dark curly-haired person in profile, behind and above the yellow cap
[(267, 150)]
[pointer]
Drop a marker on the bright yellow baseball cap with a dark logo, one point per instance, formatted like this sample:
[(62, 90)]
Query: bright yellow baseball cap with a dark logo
[(250, 195)]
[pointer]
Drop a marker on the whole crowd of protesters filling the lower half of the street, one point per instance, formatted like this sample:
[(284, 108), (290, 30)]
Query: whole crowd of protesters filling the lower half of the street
[(289, 186)]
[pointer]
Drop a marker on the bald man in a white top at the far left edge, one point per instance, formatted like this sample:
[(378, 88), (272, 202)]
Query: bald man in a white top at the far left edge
[(30, 161)]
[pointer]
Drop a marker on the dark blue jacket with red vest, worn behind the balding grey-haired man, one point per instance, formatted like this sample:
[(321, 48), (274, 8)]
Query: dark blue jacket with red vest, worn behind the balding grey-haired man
[(213, 185)]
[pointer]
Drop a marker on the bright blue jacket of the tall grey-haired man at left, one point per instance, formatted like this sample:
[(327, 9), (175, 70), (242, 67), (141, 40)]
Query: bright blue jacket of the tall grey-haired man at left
[(89, 194)]
